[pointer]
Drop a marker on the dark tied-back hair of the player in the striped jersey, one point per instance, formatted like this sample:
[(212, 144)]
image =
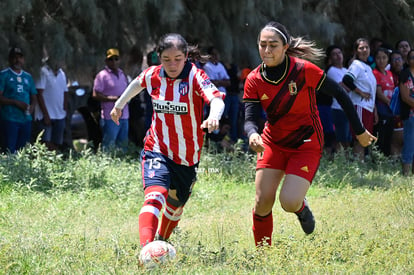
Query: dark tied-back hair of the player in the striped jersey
[(177, 41)]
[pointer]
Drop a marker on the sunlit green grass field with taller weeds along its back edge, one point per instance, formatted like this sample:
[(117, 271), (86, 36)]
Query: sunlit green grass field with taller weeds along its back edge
[(79, 215)]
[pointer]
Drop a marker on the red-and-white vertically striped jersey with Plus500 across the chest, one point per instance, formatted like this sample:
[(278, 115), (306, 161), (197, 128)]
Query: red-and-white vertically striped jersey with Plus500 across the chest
[(178, 112)]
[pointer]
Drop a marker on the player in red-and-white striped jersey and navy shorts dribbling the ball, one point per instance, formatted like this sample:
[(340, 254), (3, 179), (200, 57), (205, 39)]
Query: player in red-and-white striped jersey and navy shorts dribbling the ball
[(173, 143)]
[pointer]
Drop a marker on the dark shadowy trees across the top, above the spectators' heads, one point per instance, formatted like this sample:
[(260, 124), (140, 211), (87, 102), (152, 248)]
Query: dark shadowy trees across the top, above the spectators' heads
[(79, 31)]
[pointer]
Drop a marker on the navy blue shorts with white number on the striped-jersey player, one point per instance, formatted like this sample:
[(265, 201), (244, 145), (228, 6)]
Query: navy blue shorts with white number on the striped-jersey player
[(158, 170)]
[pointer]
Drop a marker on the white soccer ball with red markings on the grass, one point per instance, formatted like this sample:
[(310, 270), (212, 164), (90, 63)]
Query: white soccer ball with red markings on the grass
[(156, 253)]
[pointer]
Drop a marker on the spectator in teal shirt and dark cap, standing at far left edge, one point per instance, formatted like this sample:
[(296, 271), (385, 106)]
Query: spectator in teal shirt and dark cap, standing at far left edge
[(17, 100)]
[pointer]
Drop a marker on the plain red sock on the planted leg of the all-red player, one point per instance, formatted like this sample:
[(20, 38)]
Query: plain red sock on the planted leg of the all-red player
[(262, 229)]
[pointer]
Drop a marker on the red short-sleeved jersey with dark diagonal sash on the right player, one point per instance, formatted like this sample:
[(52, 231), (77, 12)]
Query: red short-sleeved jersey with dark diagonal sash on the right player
[(290, 104)]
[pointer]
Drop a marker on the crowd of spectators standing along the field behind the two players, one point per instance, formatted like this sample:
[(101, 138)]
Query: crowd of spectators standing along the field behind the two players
[(374, 73)]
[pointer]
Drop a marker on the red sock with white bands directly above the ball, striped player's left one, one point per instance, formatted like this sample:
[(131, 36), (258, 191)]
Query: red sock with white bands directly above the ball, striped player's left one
[(155, 197)]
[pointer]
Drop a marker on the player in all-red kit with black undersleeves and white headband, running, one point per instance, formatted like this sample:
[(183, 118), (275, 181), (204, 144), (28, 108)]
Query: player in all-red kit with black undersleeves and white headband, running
[(290, 146)]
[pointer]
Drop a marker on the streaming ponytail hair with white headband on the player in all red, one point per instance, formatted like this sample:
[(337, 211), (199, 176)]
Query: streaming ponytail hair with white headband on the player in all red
[(298, 46)]
